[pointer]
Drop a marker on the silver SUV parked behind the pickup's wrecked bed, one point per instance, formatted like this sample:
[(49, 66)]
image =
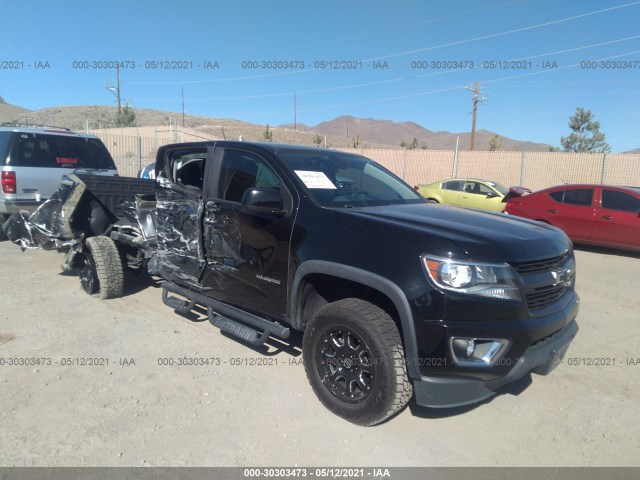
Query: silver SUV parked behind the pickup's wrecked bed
[(33, 160)]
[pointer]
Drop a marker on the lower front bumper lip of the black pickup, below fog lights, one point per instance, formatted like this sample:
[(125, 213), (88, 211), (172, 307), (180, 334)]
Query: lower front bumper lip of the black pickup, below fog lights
[(541, 358)]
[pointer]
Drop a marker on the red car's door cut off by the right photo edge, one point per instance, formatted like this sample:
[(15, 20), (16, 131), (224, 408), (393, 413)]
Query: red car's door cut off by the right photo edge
[(617, 219)]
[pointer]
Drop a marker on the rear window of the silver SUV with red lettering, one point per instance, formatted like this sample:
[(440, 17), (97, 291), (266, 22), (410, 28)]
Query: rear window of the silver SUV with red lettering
[(58, 151)]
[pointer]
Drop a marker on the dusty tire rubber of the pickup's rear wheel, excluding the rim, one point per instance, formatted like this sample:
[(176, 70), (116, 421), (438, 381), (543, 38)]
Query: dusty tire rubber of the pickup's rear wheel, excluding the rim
[(108, 266)]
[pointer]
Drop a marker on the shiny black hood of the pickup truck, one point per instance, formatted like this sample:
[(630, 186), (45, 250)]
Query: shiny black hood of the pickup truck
[(481, 235)]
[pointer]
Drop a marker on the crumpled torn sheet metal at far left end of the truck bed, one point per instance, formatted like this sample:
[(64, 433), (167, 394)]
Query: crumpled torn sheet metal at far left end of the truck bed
[(44, 228)]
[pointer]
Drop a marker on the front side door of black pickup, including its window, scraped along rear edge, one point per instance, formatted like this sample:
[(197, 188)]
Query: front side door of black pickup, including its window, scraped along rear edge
[(247, 247)]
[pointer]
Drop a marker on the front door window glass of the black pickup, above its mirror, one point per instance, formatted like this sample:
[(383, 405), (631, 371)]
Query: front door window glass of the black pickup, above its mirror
[(241, 171)]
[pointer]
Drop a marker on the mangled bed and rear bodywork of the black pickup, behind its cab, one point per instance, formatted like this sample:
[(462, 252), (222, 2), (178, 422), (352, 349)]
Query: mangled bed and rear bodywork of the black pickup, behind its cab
[(87, 206)]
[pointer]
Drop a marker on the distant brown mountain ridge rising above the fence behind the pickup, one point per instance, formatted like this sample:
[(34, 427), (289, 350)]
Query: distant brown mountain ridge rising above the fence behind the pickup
[(393, 133)]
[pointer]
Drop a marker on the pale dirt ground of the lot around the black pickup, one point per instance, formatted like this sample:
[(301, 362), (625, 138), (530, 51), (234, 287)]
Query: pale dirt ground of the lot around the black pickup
[(256, 408)]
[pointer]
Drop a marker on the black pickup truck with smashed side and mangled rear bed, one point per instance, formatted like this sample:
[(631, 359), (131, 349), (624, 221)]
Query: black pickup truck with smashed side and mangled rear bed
[(395, 296)]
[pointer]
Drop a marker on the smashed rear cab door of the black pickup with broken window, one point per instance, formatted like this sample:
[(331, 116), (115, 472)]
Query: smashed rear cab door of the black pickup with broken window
[(179, 207)]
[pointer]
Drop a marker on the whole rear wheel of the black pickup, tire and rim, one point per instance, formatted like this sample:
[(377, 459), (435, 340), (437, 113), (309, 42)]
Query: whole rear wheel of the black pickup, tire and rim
[(101, 268)]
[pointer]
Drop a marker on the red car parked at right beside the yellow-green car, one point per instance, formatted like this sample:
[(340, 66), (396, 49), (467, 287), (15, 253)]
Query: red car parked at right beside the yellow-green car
[(591, 214)]
